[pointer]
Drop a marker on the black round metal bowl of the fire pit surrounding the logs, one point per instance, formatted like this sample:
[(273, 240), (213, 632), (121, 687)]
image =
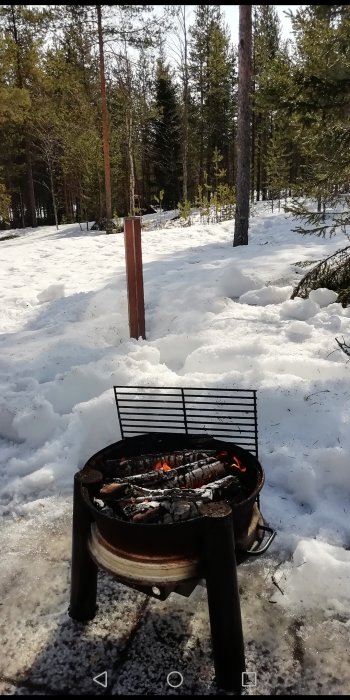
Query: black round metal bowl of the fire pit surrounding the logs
[(180, 538)]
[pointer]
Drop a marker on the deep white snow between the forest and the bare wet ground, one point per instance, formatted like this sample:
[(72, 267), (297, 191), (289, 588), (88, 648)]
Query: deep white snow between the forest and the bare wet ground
[(215, 316)]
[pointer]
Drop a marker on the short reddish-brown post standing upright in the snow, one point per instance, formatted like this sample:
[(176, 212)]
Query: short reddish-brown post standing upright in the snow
[(134, 276)]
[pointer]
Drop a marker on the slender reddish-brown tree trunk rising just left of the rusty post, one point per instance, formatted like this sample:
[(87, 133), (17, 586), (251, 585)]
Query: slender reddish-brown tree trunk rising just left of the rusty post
[(105, 125)]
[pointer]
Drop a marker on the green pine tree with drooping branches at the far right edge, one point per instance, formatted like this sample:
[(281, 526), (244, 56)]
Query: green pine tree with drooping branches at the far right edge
[(322, 107)]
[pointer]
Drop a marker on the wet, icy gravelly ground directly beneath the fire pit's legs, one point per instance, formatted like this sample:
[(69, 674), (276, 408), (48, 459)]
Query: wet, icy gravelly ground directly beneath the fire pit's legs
[(137, 640)]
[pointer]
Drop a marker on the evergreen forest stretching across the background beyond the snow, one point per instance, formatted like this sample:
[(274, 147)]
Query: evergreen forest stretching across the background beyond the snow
[(168, 125)]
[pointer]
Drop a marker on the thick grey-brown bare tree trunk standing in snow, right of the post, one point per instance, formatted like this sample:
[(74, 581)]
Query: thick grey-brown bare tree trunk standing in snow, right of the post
[(243, 126)]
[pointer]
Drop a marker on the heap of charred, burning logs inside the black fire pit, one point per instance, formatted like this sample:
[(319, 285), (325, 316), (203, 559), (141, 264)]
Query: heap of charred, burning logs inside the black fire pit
[(171, 487)]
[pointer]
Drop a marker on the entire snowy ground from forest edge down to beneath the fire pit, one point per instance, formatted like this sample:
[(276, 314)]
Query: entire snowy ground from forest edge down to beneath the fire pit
[(215, 316)]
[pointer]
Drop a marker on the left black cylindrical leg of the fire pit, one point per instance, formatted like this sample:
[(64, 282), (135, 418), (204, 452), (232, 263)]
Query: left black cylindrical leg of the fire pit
[(84, 570)]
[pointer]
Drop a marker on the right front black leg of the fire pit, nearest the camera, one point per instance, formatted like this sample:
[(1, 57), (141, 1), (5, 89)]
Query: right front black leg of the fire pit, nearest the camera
[(223, 598)]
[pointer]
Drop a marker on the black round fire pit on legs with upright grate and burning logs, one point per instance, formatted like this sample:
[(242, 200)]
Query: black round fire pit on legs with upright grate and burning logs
[(163, 510)]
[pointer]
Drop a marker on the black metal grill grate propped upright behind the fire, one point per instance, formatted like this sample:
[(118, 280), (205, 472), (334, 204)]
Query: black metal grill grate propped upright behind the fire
[(229, 414)]
